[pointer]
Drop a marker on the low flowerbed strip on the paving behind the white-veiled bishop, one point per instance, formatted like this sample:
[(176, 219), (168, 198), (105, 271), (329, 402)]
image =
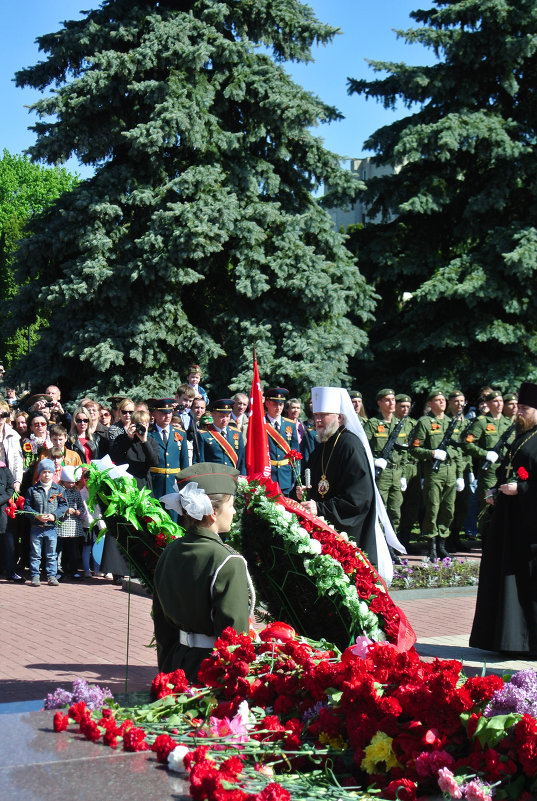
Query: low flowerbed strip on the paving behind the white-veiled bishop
[(448, 572)]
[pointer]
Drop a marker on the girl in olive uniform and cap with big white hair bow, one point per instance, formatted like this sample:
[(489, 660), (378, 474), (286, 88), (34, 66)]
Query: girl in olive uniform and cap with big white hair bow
[(201, 585)]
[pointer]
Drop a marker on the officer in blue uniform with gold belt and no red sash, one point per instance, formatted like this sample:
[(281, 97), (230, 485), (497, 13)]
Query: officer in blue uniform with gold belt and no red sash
[(173, 448)]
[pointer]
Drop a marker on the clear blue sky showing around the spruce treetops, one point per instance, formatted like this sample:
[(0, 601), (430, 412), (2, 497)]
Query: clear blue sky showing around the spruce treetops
[(366, 33)]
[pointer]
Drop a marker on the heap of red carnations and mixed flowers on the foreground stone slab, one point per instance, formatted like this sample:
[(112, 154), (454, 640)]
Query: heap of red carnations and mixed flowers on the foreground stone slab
[(285, 718)]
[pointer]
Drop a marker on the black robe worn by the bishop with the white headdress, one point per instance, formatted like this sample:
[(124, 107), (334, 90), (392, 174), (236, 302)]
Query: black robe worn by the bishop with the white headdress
[(349, 504)]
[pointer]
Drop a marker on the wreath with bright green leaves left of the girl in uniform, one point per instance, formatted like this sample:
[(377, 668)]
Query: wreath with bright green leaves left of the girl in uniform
[(137, 520)]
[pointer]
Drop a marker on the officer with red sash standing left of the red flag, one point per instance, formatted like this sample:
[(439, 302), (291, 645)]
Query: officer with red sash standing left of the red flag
[(221, 443)]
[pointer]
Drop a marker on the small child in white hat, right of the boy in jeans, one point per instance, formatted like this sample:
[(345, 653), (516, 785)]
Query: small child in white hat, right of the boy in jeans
[(71, 528)]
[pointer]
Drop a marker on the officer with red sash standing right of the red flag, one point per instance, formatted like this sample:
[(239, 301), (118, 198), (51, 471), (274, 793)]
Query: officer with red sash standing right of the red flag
[(282, 437)]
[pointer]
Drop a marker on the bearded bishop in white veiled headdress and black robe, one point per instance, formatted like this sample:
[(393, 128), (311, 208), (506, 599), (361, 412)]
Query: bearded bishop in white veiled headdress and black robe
[(343, 488)]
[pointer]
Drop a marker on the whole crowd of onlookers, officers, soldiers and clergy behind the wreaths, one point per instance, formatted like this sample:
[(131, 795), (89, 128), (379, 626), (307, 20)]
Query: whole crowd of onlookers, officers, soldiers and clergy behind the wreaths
[(438, 473)]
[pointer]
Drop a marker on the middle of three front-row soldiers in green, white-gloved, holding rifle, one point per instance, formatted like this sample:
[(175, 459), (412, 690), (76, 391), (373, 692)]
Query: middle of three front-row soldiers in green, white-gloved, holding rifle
[(439, 487)]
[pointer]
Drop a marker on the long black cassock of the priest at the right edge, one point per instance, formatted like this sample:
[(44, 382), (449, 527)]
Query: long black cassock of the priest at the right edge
[(506, 610)]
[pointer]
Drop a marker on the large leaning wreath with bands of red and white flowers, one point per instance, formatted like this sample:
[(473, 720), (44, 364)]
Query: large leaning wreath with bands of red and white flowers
[(313, 577)]
